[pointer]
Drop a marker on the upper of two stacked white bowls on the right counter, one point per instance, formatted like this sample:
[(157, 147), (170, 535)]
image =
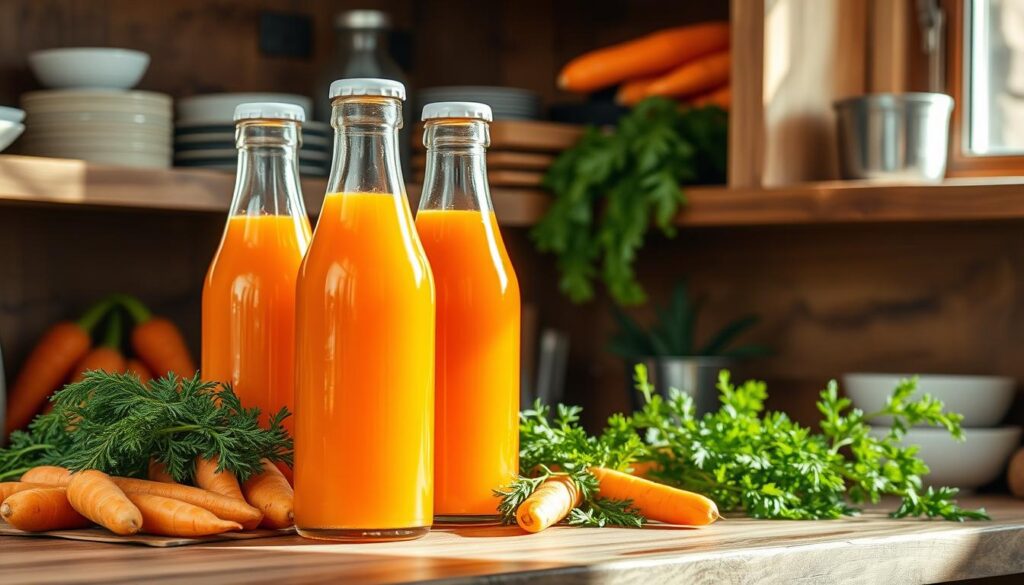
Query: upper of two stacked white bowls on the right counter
[(983, 400)]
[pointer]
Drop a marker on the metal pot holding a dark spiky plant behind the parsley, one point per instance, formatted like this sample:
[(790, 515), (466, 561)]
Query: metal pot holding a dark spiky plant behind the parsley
[(697, 377)]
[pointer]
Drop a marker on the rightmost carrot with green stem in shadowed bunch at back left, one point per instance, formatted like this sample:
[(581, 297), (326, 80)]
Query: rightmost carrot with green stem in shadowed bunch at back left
[(157, 342)]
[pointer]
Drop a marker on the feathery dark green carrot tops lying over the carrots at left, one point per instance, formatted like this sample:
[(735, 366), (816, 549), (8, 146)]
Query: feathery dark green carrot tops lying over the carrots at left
[(115, 424)]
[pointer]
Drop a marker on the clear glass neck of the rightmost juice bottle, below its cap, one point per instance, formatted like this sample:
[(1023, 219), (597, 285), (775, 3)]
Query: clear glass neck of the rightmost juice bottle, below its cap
[(456, 176)]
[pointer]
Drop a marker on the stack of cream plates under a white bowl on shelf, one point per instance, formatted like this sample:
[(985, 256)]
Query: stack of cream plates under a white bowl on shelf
[(132, 129)]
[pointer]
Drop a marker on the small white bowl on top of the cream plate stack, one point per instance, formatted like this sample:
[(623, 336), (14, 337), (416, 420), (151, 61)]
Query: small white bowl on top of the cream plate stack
[(90, 67)]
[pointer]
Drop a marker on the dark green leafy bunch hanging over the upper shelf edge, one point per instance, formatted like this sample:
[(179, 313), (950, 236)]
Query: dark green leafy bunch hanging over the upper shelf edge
[(613, 185)]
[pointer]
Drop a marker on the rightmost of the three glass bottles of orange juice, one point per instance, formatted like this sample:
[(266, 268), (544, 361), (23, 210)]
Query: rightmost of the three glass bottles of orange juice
[(477, 447)]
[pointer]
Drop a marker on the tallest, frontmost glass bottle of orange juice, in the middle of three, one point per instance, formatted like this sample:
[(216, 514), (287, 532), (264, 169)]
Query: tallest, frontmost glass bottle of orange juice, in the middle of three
[(364, 440)]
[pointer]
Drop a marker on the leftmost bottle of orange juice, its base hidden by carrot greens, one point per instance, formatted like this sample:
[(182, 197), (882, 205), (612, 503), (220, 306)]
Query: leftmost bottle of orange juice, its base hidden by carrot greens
[(249, 292)]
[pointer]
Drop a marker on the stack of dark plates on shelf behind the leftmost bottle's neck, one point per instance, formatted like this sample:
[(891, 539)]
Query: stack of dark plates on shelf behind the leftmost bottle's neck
[(204, 133)]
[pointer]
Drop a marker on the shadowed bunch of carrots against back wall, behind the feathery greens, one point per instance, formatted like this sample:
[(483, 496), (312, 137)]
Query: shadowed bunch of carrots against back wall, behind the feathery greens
[(66, 352)]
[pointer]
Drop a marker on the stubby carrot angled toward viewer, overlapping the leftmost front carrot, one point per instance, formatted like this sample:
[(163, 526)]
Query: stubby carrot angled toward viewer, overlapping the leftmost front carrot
[(97, 497)]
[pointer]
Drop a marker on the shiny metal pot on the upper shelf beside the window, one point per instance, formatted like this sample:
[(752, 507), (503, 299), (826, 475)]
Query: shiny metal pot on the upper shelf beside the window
[(894, 138)]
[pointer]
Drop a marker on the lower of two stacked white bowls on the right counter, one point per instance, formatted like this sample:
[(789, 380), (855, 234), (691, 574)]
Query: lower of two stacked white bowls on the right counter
[(969, 466)]
